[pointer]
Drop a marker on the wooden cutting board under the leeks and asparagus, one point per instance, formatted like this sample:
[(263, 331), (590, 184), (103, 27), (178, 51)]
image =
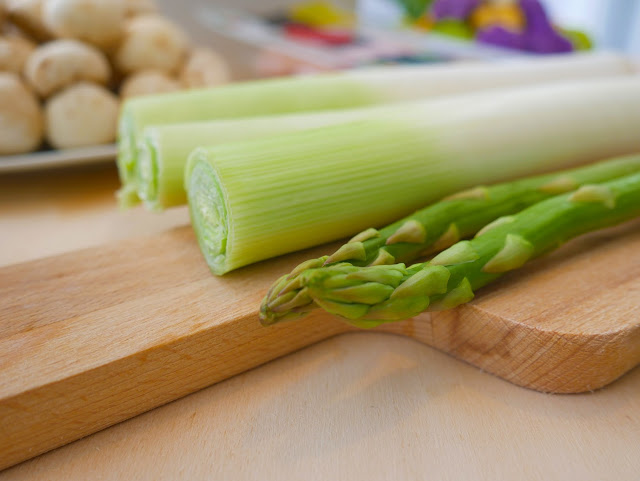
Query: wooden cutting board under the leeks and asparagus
[(94, 337)]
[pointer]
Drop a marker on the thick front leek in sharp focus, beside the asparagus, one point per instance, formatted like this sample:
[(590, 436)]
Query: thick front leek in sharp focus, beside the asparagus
[(258, 199)]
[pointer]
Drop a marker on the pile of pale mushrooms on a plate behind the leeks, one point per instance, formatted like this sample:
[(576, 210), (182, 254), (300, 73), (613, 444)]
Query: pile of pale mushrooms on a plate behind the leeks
[(66, 64)]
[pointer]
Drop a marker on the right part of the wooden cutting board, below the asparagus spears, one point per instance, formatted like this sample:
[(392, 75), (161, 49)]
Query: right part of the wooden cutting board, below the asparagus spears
[(566, 323)]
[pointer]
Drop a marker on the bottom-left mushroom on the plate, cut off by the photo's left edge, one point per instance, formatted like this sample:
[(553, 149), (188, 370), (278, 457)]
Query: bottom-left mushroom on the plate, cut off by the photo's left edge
[(21, 123)]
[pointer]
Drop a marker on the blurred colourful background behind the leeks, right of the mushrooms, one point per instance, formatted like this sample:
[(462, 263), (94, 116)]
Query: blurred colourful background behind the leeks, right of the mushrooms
[(285, 36)]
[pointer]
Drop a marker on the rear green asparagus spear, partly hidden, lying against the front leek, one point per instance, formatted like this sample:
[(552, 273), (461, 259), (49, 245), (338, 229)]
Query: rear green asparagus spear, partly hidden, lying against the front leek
[(444, 223)]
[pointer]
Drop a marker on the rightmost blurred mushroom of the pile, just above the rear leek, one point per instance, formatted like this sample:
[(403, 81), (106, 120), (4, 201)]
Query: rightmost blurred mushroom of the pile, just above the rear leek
[(204, 68)]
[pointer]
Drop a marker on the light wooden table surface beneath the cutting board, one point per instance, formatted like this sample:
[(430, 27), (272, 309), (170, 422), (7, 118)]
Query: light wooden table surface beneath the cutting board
[(360, 406)]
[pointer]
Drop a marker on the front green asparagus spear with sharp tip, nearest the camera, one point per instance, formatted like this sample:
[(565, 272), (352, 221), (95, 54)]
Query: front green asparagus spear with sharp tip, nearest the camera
[(369, 296)]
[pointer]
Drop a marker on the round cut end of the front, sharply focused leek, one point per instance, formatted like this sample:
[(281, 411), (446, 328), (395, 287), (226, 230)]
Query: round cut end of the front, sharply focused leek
[(208, 212)]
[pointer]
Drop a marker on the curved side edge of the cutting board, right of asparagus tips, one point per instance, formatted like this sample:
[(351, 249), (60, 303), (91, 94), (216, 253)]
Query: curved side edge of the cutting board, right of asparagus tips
[(474, 335)]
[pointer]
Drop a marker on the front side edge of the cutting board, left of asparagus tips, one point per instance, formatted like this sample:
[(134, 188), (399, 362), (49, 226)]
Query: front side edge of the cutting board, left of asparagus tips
[(180, 354)]
